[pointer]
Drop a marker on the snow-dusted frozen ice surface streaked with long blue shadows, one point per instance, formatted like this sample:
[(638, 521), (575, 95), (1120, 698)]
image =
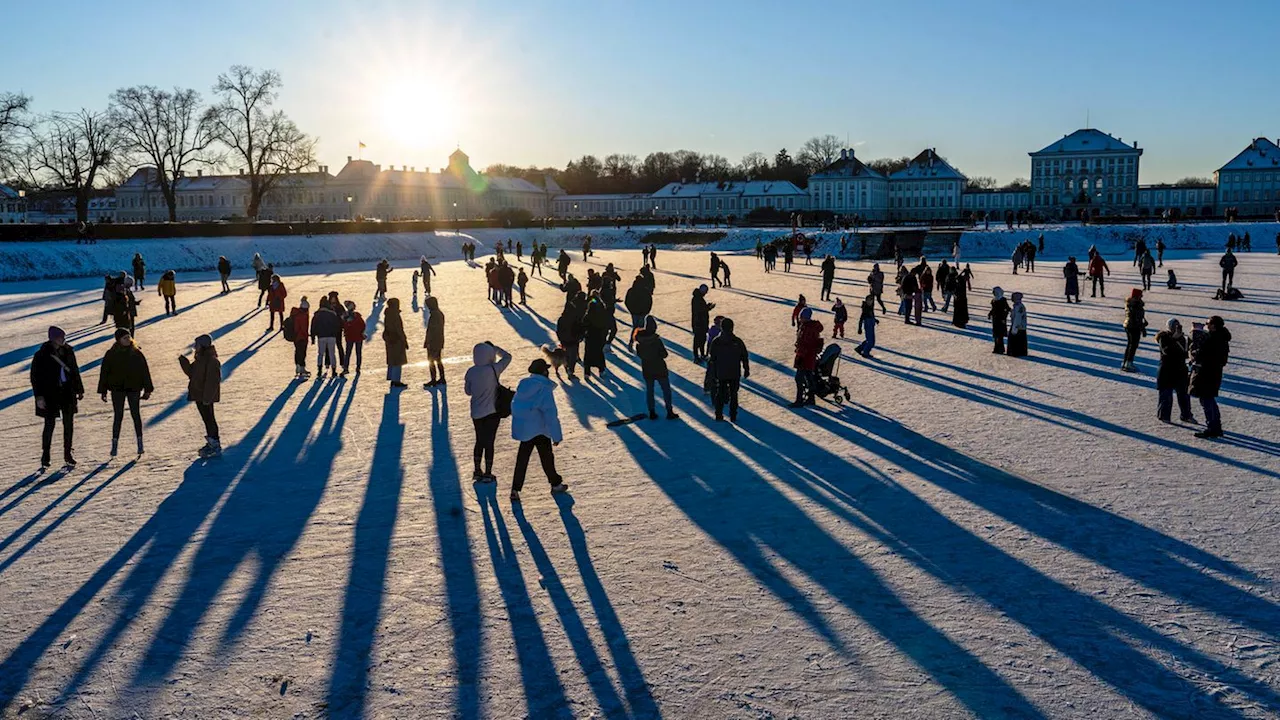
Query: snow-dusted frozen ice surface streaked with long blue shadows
[(972, 536)]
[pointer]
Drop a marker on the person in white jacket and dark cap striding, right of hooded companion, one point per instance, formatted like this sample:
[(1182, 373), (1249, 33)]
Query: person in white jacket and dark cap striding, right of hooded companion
[(536, 423)]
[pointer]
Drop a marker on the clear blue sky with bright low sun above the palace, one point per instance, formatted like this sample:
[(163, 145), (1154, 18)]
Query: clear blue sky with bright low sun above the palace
[(542, 83)]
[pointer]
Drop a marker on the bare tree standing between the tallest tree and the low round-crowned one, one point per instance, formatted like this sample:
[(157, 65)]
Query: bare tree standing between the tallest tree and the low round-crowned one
[(164, 129)]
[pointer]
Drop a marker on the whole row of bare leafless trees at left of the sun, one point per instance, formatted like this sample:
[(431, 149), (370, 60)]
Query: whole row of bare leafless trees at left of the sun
[(172, 131)]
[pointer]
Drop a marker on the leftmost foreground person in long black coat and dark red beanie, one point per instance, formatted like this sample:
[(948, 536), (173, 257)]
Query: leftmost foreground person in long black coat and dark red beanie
[(57, 386)]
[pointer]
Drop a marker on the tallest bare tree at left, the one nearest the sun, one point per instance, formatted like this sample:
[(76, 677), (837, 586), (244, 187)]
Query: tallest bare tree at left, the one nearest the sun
[(263, 142)]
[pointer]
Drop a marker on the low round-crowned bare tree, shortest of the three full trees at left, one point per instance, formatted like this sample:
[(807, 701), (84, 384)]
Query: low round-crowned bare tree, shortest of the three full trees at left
[(72, 152)]
